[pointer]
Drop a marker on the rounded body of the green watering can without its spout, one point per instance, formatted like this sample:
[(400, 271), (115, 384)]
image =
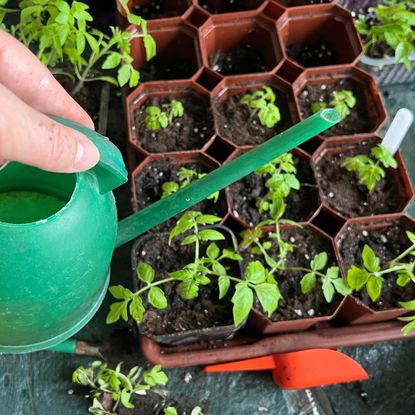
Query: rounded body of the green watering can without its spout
[(54, 272)]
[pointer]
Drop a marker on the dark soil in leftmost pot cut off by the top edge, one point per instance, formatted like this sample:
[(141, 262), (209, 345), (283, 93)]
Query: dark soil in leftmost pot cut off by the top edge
[(158, 9)]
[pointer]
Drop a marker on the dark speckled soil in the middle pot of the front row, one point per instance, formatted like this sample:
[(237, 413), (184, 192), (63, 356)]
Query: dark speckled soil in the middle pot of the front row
[(294, 305)]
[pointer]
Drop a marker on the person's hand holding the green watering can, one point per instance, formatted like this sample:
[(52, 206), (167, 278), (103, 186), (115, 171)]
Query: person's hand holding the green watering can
[(28, 91)]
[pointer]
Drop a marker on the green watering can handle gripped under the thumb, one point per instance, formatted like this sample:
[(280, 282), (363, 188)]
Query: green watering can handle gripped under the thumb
[(110, 170)]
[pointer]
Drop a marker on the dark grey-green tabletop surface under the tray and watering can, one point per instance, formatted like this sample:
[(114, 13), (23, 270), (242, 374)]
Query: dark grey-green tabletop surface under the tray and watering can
[(37, 384)]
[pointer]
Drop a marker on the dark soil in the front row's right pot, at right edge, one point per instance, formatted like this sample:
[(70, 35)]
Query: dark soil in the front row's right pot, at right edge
[(388, 243)]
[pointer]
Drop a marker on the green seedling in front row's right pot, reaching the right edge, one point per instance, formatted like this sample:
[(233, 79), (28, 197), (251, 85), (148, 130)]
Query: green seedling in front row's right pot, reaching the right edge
[(371, 274)]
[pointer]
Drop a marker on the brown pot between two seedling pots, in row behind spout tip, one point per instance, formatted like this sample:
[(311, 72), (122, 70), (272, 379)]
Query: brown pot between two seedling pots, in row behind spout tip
[(238, 123)]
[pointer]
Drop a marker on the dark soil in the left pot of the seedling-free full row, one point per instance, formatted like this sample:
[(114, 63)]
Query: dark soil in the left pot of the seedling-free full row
[(167, 68)]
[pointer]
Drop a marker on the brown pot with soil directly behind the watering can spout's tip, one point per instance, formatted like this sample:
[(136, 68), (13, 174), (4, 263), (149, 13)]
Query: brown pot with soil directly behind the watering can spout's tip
[(317, 85)]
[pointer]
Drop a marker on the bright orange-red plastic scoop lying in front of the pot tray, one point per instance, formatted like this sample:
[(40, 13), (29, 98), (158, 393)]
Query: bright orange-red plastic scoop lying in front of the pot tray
[(303, 369)]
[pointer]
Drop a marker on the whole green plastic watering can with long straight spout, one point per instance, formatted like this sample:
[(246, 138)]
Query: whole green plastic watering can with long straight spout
[(58, 233)]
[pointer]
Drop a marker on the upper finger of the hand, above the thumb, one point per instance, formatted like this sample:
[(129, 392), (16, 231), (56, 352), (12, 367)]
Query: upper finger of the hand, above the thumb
[(22, 73)]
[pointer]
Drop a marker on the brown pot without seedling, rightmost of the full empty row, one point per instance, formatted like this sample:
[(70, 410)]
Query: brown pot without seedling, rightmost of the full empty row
[(325, 37)]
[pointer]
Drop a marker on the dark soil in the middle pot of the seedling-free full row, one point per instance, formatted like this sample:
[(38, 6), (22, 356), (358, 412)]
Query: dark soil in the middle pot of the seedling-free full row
[(242, 59)]
